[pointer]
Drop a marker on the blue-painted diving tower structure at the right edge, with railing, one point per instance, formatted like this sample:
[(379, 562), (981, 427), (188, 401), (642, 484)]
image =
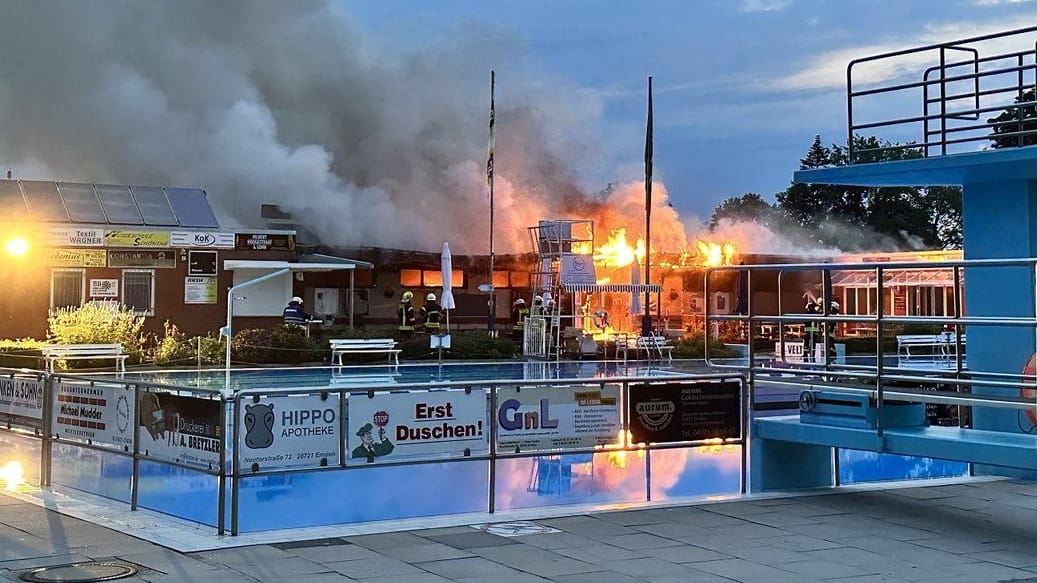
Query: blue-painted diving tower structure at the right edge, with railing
[(1000, 221)]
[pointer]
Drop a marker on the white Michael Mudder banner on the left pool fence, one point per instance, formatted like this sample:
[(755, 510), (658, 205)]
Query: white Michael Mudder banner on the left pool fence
[(101, 414)]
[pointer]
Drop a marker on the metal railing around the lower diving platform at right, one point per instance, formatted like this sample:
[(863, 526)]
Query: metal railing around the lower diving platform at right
[(950, 383)]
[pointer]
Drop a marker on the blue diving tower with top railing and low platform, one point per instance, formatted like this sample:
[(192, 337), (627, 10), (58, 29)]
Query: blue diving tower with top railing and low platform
[(968, 113)]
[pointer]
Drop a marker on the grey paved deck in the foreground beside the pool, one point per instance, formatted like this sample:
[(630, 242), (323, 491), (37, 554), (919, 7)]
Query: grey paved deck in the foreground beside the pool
[(975, 532)]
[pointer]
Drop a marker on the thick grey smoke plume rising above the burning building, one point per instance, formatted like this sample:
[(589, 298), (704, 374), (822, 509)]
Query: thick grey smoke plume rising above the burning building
[(290, 103)]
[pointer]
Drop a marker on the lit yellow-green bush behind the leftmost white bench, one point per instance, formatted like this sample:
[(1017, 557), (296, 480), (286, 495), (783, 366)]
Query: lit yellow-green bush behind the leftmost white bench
[(98, 323)]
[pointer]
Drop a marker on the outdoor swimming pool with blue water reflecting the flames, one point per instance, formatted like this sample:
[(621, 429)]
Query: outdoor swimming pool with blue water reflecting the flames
[(316, 496)]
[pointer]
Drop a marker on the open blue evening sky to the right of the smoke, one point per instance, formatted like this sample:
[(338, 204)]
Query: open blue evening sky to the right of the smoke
[(742, 87)]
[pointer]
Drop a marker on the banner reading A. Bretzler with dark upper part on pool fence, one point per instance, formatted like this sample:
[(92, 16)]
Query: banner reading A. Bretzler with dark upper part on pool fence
[(181, 429)]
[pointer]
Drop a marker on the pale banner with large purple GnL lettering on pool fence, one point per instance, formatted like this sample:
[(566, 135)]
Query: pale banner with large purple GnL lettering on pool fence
[(535, 419)]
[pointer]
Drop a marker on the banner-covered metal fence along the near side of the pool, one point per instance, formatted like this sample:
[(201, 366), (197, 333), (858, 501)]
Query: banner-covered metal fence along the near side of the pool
[(258, 434)]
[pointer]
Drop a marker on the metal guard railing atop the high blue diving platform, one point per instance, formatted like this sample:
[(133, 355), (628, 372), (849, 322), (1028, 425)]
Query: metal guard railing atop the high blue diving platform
[(955, 86)]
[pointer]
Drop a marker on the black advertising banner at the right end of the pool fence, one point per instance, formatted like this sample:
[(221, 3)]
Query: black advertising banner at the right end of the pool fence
[(690, 411)]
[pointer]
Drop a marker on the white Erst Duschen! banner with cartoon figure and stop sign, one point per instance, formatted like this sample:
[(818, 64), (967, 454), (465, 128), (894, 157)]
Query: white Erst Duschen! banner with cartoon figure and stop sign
[(390, 427)]
